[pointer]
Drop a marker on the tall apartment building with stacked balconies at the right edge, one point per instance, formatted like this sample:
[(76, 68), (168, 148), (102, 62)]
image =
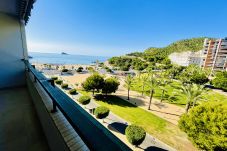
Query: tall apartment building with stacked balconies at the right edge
[(214, 54)]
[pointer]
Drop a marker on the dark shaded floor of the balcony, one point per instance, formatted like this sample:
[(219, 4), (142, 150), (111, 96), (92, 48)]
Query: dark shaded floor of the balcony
[(20, 128)]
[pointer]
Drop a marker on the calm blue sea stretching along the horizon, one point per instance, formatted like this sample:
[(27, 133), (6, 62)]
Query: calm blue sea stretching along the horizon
[(55, 58)]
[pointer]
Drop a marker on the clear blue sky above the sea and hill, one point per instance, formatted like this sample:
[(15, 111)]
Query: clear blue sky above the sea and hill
[(116, 27)]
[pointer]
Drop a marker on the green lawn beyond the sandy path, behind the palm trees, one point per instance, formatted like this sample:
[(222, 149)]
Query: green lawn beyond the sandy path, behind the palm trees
[(171, 94)]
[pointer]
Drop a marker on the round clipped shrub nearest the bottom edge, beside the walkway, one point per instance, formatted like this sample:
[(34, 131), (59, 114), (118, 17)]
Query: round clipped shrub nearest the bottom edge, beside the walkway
[(135, 134)]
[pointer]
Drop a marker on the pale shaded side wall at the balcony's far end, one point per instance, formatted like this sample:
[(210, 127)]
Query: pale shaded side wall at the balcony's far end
[(12, 50)]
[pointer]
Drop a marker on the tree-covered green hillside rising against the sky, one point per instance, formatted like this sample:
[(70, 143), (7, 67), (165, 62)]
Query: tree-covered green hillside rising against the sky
[(140, 60)]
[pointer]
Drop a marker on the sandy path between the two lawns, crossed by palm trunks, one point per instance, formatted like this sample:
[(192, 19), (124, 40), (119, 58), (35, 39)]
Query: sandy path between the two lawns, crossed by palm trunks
[(166, 111)]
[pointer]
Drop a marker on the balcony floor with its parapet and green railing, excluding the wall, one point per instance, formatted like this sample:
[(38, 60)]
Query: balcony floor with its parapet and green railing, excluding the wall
[(39, 116)]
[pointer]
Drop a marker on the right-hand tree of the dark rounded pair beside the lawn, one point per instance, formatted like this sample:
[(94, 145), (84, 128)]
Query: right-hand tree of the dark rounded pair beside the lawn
[(110, 85)]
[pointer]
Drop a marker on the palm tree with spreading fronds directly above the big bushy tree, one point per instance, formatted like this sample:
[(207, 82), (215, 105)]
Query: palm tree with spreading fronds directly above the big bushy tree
[(193, 93)]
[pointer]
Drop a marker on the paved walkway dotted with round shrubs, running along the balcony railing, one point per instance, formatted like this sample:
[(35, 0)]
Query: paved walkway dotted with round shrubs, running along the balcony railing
[(117, 126)]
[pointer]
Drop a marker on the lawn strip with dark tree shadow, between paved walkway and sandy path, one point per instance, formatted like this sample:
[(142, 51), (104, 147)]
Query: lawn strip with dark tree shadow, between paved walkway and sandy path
[(154, 125)]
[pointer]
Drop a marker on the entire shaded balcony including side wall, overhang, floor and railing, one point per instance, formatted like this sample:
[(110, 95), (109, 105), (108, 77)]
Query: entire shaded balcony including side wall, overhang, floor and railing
[(35, 115)]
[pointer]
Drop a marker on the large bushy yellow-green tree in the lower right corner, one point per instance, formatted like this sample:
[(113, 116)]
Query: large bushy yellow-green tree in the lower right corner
[(205, 125)]
